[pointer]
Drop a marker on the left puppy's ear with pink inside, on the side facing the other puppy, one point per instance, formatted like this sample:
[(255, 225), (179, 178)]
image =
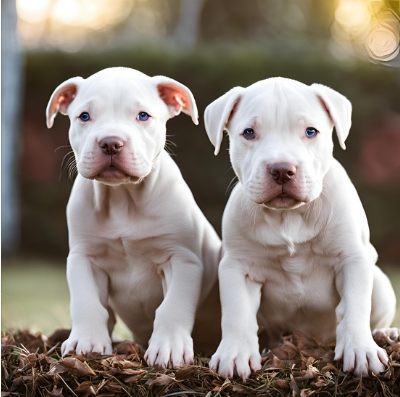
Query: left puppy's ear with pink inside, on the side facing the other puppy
[(177, 97)]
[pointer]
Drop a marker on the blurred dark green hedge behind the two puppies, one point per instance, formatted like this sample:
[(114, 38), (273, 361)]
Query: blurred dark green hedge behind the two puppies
[(208, 72)]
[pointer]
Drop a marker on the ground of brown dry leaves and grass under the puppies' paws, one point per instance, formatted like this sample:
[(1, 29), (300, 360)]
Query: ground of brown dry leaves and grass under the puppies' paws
[(32, 366)]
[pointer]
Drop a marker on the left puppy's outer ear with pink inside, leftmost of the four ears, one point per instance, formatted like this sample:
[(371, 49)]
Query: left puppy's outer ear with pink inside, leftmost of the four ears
[(61, 98)]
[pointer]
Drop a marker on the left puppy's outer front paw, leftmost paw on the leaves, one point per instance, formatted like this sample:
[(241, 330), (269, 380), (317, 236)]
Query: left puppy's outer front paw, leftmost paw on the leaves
[(86, 344)]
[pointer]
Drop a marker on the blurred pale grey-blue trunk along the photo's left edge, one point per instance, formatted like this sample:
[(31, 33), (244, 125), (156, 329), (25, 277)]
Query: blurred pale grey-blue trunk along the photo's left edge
[(11, 76)]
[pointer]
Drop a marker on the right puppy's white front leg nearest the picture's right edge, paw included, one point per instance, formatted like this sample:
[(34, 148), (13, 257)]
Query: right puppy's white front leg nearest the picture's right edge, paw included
[(354, 342)]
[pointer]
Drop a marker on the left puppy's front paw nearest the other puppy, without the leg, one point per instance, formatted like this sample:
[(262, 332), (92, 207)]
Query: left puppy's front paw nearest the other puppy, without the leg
[(169, 351)]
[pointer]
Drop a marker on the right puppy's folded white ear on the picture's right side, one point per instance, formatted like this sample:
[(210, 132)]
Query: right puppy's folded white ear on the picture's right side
[(338, 108)]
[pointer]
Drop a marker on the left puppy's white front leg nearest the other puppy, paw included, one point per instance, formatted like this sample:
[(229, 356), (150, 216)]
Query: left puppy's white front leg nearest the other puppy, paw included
[(171, 344)]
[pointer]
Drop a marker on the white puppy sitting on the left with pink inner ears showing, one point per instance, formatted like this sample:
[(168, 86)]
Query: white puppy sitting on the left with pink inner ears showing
[(139, 244)]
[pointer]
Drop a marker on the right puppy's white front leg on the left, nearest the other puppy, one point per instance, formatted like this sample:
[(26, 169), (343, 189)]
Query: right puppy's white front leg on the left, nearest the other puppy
[(238, 352)]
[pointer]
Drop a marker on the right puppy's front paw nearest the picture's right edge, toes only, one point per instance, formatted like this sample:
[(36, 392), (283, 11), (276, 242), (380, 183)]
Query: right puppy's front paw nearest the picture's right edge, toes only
[(362, 358)]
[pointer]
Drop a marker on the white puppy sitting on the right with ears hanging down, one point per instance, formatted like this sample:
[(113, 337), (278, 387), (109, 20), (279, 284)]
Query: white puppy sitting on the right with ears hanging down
[(296, 250)]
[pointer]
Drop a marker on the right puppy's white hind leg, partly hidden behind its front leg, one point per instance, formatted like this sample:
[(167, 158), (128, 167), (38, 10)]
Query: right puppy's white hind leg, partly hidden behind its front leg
[(383, 308)]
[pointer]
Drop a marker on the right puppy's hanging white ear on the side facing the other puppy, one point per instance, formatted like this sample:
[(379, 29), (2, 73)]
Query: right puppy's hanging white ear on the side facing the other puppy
[(218, 114)]
